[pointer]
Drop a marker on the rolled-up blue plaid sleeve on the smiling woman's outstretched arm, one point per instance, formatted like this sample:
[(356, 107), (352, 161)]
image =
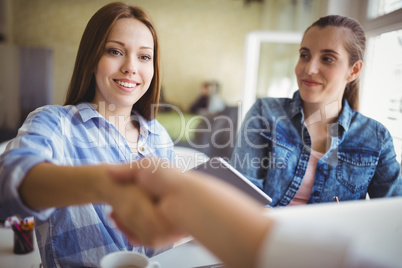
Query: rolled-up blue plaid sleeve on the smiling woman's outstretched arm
[(36, 142)]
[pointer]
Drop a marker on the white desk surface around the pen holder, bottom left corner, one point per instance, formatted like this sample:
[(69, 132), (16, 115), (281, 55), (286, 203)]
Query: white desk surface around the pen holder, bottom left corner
[(10, 260)]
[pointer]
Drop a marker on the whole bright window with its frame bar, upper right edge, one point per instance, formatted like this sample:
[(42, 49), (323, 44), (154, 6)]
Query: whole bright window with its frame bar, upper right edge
[(381, 95)]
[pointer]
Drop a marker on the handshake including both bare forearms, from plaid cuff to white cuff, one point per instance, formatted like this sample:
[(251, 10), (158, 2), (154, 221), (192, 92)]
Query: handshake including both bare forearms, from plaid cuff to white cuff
[(154, 204)]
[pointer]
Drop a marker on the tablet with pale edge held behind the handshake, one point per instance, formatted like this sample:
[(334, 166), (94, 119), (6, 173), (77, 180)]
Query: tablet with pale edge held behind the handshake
[(219, 168)]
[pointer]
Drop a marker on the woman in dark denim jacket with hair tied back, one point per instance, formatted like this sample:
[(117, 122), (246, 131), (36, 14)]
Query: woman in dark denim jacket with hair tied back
[(316, 146)]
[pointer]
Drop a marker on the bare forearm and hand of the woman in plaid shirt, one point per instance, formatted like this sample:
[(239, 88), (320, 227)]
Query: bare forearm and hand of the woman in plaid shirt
[(48, 186)]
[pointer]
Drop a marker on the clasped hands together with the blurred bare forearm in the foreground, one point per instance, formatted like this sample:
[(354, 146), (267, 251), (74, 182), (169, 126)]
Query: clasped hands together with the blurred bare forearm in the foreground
[(155, 206)]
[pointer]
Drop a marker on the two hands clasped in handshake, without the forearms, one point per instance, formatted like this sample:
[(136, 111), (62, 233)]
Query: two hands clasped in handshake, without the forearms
[(141, 203)]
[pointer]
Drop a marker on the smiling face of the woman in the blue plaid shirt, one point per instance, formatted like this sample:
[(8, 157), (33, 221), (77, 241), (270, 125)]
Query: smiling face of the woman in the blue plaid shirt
[(125, 70)]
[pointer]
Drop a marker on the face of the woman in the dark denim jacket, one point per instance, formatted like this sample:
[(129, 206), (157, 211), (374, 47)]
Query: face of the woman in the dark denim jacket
[(323, 68)]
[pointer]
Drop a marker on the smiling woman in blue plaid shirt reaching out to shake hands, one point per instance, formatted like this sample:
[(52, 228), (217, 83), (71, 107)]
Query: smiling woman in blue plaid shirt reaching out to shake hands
[(58, 167)]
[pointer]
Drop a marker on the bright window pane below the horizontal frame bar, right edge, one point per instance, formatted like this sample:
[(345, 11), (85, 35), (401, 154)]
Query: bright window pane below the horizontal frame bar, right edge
[(382, 98)]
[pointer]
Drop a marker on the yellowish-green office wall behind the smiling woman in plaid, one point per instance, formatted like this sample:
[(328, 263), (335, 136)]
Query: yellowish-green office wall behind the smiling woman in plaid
[(200, 39)]
